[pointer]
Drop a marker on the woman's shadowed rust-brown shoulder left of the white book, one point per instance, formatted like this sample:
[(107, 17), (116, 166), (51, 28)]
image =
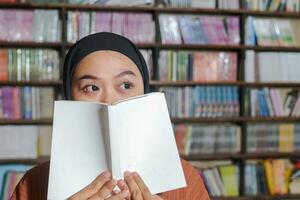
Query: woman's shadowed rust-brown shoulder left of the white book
[(34, 184)]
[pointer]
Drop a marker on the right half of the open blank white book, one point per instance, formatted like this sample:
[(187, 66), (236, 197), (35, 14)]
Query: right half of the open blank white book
[(146, 142)]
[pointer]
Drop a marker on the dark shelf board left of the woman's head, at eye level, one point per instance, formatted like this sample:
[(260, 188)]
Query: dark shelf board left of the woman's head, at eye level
[(31, 83)]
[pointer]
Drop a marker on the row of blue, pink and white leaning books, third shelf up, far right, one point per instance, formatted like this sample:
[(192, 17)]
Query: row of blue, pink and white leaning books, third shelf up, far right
[(271, 102)]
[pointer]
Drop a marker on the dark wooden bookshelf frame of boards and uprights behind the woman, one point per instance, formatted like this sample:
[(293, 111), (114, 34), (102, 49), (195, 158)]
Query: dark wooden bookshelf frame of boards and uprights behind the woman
[(156, 47)]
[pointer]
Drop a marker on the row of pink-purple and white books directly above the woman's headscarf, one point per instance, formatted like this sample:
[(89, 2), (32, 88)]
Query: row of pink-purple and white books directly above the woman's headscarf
[(138, 27)]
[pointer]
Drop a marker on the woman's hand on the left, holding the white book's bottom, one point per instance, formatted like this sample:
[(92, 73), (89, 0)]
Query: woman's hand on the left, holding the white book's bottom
[(101, 188)]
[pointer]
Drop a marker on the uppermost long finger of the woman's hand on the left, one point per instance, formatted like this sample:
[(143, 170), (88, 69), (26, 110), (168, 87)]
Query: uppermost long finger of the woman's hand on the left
[(93, 187)]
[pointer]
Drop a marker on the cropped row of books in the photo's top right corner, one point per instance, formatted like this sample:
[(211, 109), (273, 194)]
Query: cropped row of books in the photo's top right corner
[(273, 5)]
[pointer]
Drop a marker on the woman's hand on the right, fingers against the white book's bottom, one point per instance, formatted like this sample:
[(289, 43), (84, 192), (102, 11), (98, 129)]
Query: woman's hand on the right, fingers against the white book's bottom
[(137, 187)]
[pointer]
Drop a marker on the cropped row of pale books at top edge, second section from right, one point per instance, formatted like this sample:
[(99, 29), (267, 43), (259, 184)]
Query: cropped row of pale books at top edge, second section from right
[(221, 4)]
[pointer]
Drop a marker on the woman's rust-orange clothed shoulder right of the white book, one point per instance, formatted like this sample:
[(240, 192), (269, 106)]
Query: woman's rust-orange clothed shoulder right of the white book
[(195, 189)]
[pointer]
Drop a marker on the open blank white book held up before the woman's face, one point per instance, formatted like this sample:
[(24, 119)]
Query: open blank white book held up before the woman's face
[(130, 135)]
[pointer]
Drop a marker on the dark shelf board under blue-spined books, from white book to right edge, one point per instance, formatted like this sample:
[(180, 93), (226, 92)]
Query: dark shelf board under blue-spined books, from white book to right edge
[(234, 119)]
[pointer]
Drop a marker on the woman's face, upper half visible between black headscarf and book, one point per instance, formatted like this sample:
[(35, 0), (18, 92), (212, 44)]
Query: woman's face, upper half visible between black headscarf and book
[(106, 77)]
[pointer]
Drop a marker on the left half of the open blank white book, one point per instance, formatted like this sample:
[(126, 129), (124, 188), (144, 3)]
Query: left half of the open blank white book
[(78, 147)]
